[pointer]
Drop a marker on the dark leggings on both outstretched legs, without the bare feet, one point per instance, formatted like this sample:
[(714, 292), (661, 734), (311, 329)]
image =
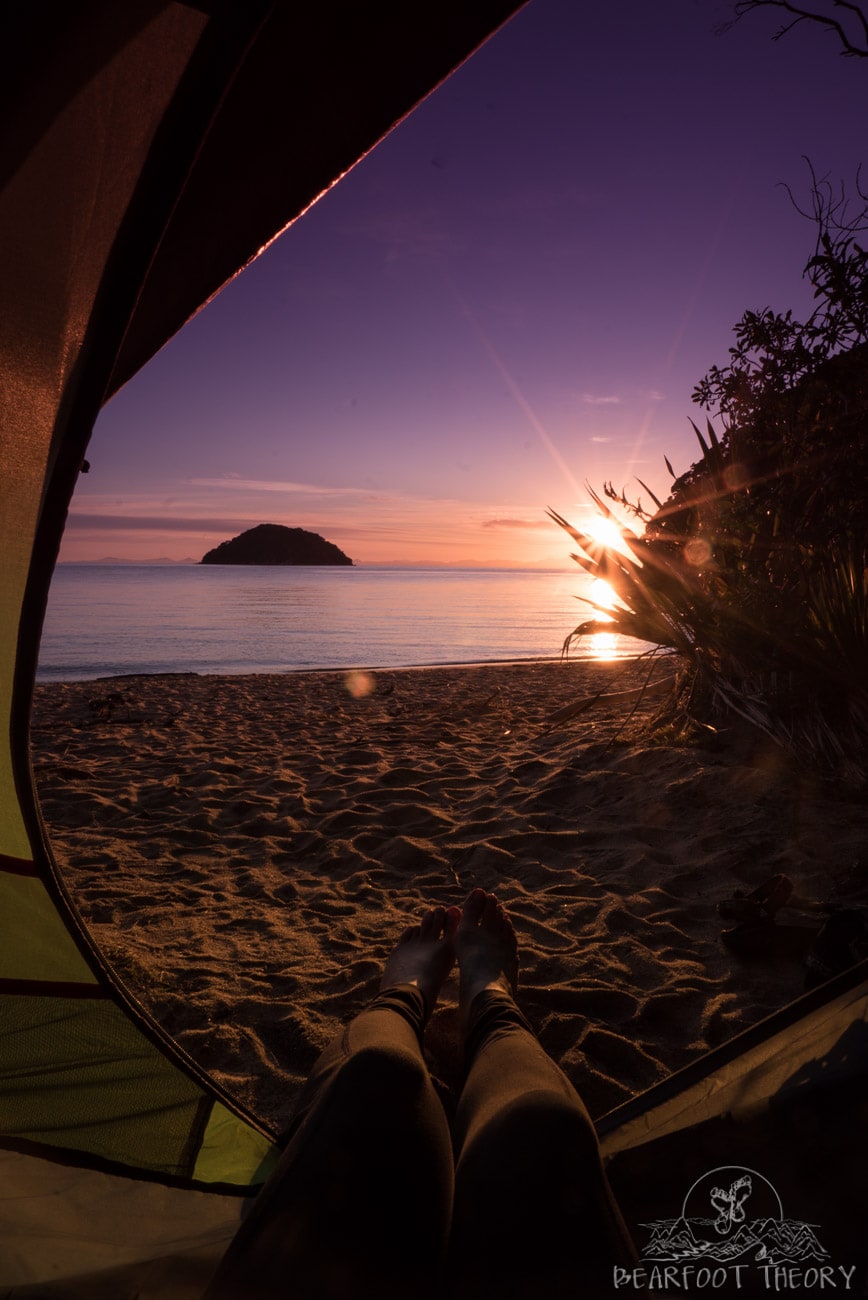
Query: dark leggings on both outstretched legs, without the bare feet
[(374, 1198)]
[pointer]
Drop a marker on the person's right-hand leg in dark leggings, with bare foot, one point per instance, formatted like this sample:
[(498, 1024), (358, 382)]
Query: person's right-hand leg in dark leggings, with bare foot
[(533, 1212)]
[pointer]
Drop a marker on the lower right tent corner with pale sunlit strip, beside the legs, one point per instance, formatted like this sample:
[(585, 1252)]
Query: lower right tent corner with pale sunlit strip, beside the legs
[(787, 1102)]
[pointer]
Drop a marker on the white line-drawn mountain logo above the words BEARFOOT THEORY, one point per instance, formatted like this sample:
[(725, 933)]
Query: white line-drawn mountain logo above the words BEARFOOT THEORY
[(730, 1216)]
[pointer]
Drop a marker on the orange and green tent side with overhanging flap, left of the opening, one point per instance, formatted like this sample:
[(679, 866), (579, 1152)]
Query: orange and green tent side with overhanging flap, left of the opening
[(149, 151)]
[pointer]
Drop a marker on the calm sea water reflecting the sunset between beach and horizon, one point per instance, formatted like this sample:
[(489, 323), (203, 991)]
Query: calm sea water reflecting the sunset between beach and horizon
[(114, 619)]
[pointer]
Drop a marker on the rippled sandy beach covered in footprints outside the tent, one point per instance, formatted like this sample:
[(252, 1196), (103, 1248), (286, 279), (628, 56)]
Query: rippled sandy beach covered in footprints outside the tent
[(246, 851)]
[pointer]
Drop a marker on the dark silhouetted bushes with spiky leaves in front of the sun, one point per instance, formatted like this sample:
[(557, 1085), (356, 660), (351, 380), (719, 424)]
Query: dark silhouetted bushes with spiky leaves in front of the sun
[(756, 570)]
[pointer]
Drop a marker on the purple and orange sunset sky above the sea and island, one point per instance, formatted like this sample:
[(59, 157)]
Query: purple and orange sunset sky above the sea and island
[(515, 293)]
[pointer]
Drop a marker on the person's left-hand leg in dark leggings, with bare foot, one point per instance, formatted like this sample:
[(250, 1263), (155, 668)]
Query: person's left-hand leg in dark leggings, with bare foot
[(361, 1203)]
